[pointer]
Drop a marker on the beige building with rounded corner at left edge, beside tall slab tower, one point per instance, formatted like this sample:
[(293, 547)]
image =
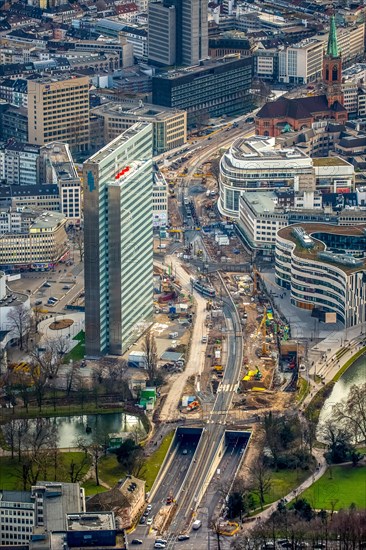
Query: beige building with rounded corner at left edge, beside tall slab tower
[(39, 245)]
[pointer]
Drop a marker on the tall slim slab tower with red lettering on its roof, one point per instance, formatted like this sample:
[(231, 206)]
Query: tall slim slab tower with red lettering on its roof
[(118, 241)]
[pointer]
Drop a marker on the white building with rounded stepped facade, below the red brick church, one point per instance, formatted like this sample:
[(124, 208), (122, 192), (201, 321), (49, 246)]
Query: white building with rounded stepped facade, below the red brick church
[(257, 164)]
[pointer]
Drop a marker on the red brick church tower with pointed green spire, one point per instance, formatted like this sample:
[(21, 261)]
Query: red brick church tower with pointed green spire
[(332, 68)]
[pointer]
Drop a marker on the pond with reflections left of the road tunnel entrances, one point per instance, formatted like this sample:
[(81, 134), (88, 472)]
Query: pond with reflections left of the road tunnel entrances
[(70, 428)]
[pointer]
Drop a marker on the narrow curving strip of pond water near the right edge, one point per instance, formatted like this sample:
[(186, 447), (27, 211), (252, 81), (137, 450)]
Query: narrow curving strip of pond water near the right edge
[(355, 374)]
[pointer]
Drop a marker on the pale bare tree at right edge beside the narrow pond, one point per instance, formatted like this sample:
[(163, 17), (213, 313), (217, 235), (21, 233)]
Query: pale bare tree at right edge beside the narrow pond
[(351, 412)]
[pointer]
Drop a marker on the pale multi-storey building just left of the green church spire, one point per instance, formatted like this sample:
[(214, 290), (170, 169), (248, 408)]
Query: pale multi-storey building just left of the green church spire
[(301, 63)]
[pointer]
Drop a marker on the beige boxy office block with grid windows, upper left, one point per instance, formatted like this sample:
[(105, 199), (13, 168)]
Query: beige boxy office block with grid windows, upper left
[(58, 110)]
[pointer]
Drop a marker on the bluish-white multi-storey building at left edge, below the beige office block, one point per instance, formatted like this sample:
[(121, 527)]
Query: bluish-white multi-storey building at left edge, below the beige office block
[(19, 163)]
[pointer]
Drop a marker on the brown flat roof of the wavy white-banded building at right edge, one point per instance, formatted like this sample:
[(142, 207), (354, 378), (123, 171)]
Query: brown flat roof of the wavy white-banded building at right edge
[(319, 246)]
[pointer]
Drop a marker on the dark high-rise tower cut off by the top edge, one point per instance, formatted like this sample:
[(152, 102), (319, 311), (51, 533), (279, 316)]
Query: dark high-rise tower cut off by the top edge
[(190, 18)]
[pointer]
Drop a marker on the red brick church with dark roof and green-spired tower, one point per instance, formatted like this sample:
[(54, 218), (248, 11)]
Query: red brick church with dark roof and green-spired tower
[(285, 114)]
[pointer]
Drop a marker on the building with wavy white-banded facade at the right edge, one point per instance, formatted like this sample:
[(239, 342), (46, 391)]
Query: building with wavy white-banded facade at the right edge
[(324, 267)]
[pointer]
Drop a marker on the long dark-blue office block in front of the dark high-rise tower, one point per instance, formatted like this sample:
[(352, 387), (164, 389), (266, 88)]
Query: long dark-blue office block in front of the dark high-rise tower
[(214, 88)]
